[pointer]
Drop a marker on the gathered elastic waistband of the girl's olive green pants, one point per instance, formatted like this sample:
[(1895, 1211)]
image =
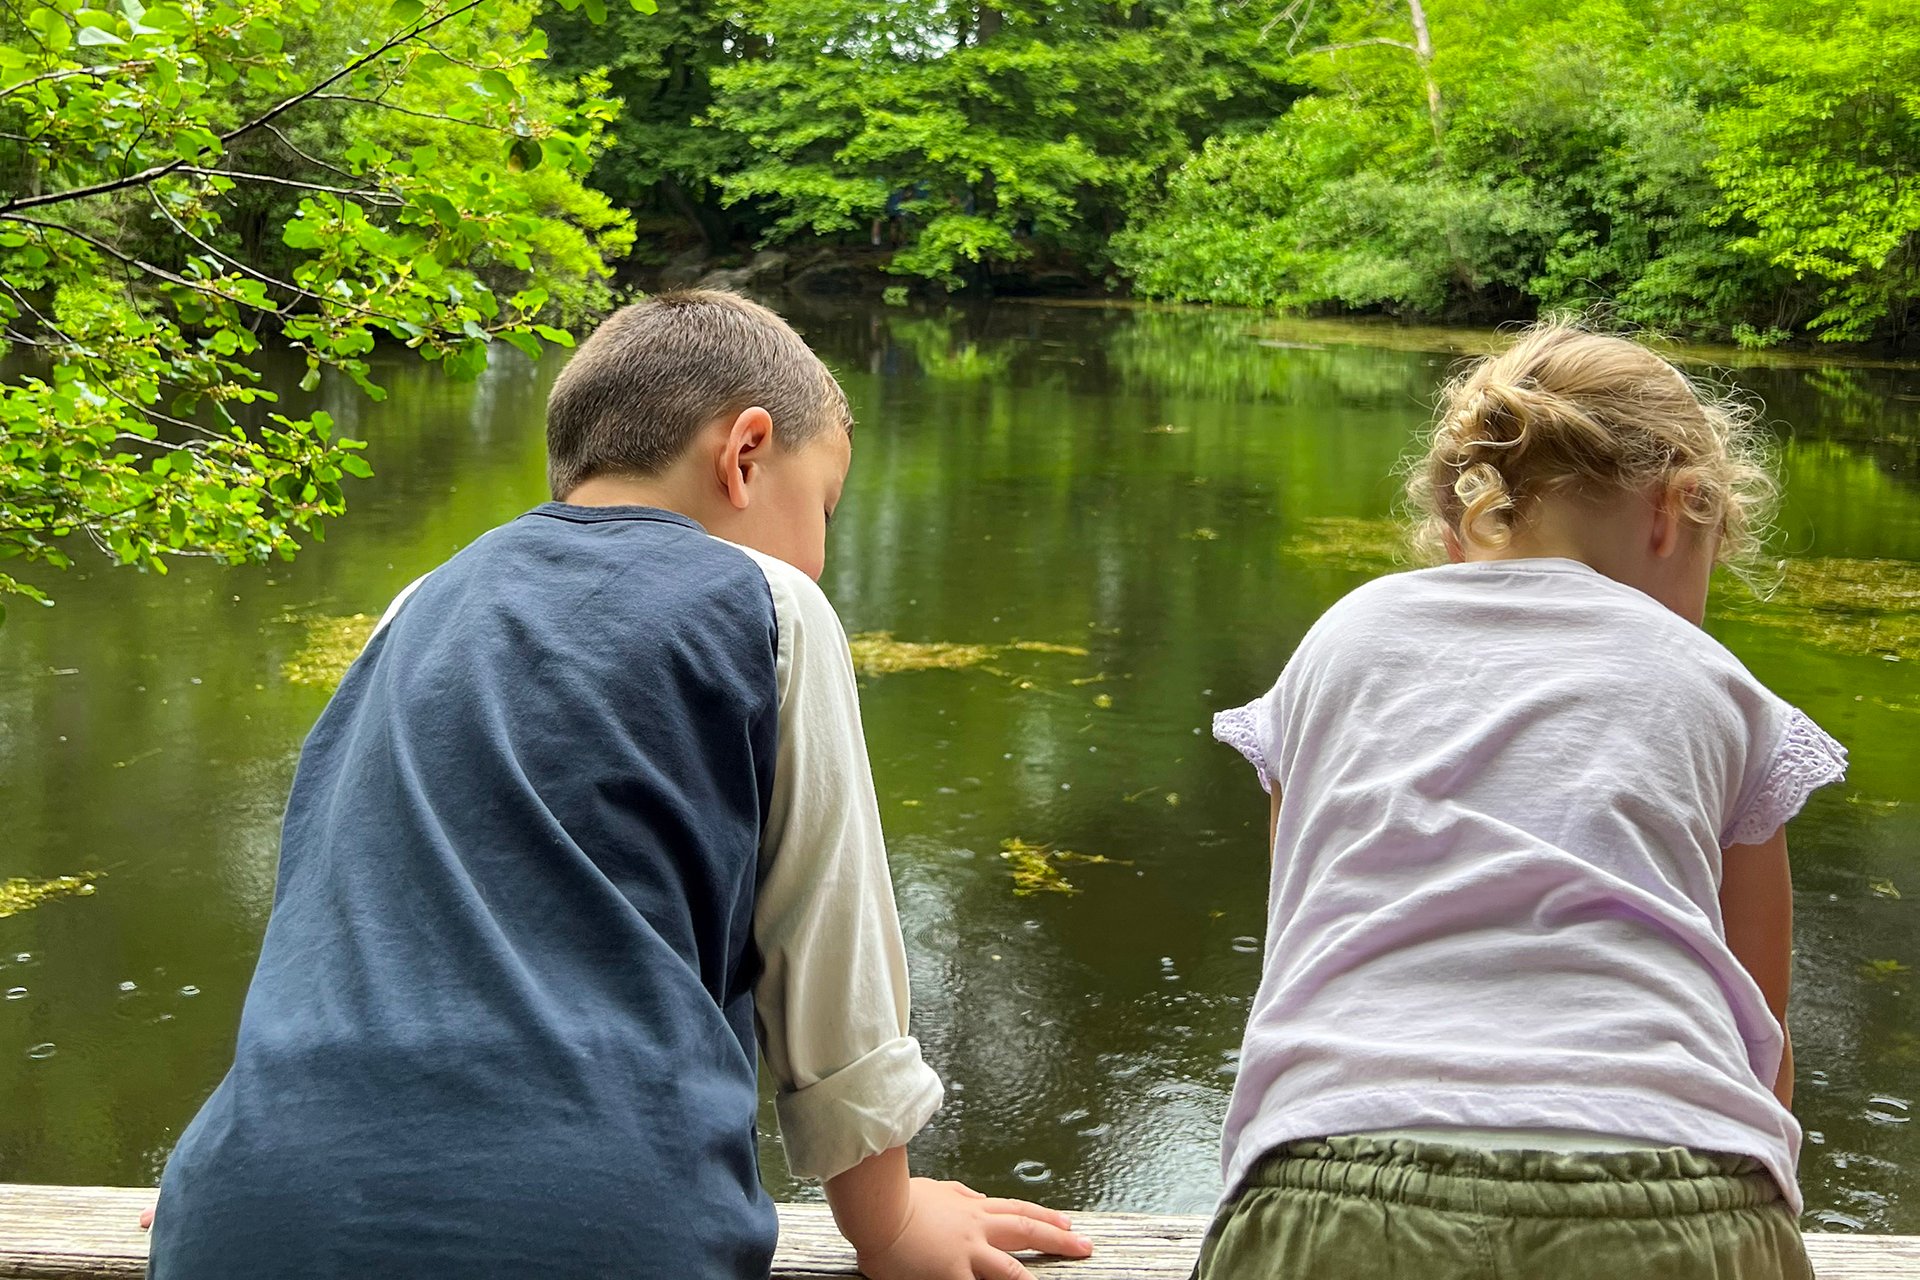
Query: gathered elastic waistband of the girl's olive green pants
[(1633, 1185)]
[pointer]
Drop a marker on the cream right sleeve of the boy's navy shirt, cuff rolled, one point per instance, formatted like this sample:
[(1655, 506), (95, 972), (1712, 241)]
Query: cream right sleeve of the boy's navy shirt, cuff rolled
[(832, 1001)]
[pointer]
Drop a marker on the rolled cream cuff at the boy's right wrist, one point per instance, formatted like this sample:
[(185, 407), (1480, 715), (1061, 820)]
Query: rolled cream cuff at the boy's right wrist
[(865, 1108)]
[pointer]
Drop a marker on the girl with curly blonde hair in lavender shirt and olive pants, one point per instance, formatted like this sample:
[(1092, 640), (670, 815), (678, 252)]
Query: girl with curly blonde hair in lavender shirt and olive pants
[(1524, 1007)]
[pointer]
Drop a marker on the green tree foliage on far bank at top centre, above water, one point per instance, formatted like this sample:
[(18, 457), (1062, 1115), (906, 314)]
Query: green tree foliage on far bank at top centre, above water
[(978, 135)]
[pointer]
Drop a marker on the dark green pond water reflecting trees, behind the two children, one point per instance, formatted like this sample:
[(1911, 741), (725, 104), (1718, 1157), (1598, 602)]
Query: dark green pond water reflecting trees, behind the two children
[(1134, 517)]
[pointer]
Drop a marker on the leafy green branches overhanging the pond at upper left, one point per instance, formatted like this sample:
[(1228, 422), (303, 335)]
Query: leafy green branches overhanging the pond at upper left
[(191, 183)]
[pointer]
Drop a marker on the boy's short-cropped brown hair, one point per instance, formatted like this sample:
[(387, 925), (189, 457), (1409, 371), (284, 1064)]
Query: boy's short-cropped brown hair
[(656, 373)]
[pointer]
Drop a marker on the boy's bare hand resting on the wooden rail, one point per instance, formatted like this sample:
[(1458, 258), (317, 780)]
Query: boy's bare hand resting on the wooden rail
[(953, 1233)]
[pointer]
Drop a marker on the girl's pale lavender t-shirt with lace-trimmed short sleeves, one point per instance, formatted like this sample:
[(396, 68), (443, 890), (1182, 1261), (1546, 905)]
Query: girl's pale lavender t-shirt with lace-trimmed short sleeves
[(1495, 903)]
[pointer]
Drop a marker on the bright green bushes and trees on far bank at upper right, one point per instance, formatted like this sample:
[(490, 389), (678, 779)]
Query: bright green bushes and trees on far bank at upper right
[(1694, 166)]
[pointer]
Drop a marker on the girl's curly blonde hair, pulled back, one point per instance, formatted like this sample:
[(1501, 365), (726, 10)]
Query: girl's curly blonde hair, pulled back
[(1573, 412)]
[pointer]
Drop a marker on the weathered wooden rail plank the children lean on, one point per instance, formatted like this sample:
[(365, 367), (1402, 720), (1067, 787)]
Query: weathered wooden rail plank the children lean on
[(87, 1233)]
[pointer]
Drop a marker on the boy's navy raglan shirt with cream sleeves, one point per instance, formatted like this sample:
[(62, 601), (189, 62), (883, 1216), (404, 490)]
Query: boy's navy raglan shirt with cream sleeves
[(587, 826)]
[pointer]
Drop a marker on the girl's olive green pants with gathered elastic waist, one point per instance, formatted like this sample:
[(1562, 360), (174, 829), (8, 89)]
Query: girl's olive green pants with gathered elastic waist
[(1397, 1210)]
